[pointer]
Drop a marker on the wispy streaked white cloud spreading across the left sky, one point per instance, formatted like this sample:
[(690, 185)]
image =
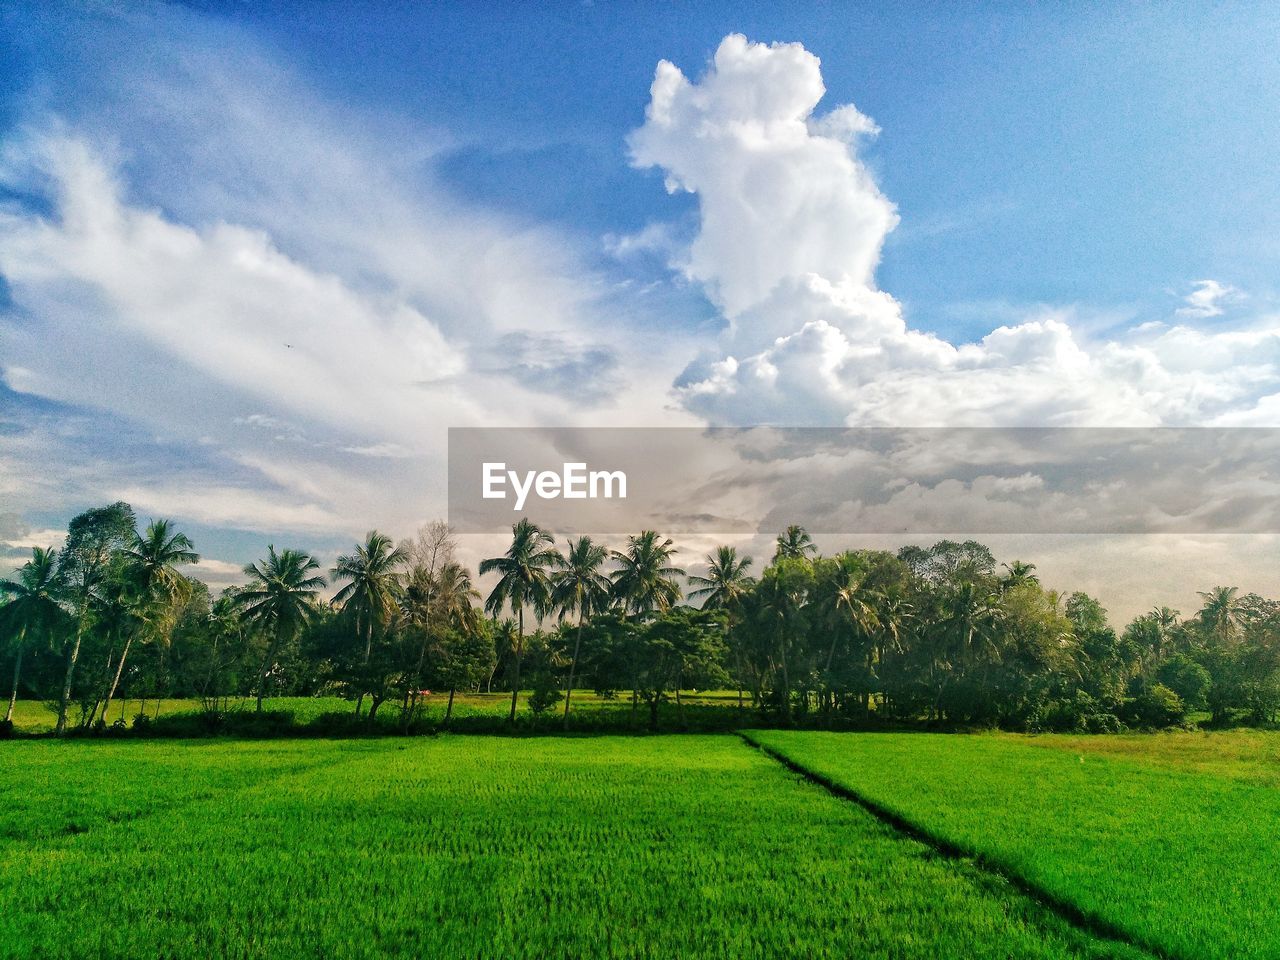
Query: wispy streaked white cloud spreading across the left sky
[(281, 289)]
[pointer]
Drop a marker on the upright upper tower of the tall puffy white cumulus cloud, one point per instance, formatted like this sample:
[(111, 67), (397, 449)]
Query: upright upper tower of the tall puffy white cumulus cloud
[(781, 194)]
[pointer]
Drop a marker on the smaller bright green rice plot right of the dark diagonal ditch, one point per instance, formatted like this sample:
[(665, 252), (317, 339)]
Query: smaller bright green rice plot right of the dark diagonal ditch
[(1173, 851)]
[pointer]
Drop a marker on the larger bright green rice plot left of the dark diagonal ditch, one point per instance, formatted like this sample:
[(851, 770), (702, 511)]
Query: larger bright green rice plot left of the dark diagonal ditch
[(476, 847)]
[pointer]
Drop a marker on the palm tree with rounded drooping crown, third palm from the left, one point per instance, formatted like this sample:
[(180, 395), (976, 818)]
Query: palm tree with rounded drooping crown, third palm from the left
[(280, 601)]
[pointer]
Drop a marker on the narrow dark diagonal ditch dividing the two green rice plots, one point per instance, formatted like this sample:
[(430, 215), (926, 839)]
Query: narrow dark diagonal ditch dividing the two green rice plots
[(1064, 909)]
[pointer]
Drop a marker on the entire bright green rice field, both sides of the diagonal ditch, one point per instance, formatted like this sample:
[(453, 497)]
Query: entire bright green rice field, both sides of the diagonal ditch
[(696, 845)]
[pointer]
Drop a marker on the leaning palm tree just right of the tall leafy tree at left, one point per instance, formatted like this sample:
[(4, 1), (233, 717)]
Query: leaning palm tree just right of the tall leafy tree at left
[(159, 589)]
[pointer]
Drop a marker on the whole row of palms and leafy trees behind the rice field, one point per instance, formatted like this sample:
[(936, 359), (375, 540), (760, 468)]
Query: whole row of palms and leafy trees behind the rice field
[(939, 636)]
